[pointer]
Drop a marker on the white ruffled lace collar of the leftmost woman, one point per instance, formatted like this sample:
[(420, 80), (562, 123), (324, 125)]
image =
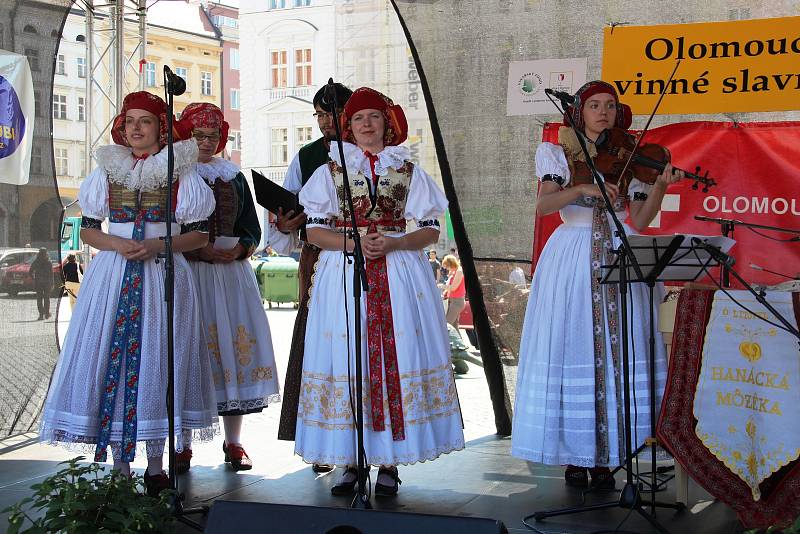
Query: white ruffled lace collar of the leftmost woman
[(148, 174)]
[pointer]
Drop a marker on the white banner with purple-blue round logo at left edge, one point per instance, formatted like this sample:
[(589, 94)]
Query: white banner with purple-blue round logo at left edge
[(16, 118)]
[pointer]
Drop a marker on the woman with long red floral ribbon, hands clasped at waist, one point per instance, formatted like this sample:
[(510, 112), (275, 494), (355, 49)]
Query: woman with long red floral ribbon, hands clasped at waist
[(411, 411)]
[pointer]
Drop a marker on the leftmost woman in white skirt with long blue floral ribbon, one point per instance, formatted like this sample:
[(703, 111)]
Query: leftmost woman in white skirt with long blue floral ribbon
[(109, 386)]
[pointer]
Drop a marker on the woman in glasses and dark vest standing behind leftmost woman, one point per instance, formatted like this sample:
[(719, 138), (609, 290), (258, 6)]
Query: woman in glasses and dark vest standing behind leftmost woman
[(236, 328)]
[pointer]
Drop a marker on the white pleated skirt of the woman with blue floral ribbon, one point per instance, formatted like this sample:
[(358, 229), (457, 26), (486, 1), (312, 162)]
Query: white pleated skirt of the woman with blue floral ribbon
[(71, 411)]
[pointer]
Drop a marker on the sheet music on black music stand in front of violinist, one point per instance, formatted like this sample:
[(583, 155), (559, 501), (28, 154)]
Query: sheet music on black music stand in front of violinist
[(686, 264)]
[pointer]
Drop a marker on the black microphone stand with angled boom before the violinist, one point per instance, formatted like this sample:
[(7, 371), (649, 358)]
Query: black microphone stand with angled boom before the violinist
[(630, 495)]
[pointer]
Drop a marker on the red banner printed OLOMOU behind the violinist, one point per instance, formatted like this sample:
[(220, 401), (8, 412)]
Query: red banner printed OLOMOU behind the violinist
[(757, 170)]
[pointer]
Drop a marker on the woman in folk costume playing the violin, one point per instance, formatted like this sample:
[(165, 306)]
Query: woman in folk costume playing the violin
[(569, 404)]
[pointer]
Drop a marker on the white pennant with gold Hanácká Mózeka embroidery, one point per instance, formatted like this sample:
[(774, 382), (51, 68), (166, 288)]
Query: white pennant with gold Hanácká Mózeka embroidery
[(747, 401)]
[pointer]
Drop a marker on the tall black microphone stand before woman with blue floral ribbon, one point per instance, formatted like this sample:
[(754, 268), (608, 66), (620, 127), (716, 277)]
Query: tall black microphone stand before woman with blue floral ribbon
[(171, 90)]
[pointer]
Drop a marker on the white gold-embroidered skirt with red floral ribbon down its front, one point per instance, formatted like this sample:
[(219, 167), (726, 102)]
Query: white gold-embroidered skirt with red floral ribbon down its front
[(431, 413)]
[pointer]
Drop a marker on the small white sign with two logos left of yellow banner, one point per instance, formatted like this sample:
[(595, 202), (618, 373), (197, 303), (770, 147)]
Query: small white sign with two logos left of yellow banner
[(527, 81)]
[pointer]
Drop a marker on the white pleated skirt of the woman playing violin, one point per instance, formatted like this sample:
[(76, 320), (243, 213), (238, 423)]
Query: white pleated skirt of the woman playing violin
[(554, 413)]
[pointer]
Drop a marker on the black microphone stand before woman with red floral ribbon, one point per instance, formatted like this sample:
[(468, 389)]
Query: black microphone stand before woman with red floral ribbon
[(360, 285)]
